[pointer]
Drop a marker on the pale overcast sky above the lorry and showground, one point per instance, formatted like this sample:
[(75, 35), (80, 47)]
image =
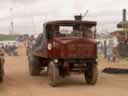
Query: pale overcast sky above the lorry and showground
[(28, 15)]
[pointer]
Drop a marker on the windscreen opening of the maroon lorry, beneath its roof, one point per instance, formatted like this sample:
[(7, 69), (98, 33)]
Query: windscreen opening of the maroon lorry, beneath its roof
[(74, 31)]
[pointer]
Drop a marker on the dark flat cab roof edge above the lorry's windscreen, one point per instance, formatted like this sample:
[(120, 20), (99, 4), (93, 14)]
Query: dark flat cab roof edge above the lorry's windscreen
[(71, 22)]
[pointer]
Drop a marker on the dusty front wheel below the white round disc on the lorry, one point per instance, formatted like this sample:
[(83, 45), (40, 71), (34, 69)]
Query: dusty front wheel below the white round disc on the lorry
[(53, 74)]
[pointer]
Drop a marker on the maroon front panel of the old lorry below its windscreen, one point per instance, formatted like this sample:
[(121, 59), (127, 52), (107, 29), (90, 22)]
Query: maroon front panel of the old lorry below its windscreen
[(73, 48)]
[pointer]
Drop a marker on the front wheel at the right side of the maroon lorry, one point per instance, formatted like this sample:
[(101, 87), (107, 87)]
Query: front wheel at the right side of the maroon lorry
[(91, 74)]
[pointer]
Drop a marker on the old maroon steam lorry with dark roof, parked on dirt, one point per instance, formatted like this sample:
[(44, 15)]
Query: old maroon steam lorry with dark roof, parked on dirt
[(64, 47)]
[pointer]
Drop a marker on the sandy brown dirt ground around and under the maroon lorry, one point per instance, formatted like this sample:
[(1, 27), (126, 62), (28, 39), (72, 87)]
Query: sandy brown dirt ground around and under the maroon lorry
[(18, 82)]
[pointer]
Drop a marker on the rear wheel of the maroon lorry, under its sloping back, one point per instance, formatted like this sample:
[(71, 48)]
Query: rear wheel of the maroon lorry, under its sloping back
[(34, 67)]
